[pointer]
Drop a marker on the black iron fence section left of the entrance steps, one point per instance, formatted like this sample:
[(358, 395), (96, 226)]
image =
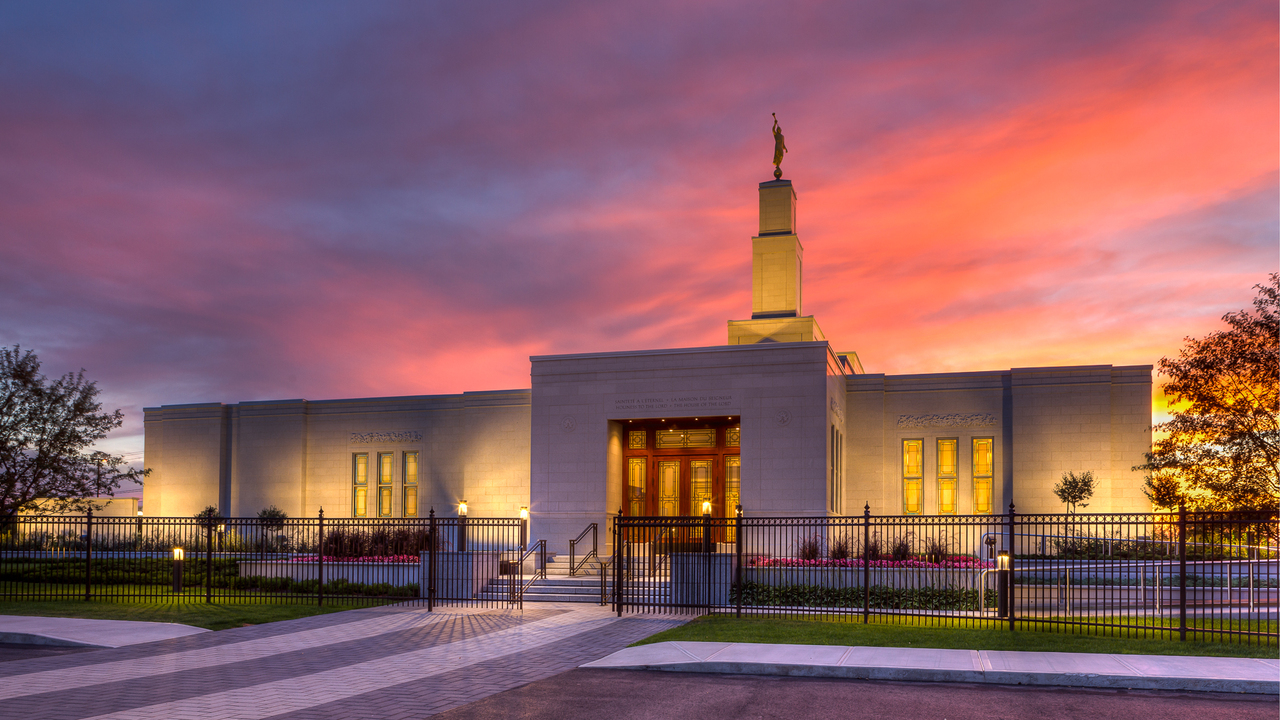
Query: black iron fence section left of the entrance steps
[(348, 562)]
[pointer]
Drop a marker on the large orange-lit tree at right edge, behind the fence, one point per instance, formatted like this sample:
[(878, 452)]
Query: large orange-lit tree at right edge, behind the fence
[(1223, 444)]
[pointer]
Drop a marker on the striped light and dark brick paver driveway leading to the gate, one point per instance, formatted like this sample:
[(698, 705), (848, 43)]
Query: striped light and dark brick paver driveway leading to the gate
[(383, 663)]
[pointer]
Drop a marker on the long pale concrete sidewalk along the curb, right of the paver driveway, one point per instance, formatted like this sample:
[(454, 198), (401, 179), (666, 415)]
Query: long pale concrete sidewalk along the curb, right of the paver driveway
[(1007, 668)]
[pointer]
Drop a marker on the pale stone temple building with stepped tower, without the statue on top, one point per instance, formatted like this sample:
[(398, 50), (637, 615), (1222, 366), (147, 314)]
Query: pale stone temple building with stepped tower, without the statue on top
[(778, 420)]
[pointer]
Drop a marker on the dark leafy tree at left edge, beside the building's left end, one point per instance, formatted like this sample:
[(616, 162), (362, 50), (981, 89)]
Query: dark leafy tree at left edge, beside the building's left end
[(47, 434)]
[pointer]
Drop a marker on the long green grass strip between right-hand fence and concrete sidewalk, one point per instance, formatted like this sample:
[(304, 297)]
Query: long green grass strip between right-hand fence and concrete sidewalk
[(888, 632)]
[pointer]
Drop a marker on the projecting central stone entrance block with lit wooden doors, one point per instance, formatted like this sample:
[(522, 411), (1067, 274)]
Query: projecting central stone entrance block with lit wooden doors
[(783, 397)]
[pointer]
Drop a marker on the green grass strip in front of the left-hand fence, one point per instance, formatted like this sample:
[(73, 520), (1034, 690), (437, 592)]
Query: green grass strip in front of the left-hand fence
[(218, 616)]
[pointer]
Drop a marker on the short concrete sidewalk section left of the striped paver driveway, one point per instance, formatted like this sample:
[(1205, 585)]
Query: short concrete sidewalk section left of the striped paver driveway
[(76, 632)]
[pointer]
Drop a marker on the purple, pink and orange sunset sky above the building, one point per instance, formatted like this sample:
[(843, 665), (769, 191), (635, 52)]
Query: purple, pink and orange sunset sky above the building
[(227, 202)]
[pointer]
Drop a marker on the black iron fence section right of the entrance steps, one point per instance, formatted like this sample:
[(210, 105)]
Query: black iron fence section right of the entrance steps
[(1203, 576)]
